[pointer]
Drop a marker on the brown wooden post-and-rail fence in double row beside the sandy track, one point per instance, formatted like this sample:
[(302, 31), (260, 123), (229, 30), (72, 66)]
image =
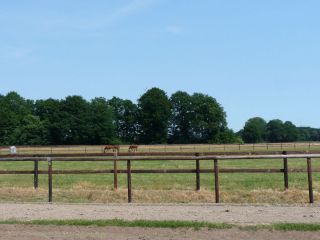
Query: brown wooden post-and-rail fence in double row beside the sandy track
[(129, 157)]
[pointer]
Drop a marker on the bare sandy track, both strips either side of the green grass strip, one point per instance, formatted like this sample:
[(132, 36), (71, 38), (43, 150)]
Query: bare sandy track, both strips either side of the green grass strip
[(235, 214)]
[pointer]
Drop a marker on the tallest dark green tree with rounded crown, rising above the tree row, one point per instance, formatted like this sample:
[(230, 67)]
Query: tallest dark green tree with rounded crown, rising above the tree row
[(154, 113)]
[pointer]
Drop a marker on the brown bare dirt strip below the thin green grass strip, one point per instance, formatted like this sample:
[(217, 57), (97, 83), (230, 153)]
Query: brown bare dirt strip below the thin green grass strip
[(12, 232)]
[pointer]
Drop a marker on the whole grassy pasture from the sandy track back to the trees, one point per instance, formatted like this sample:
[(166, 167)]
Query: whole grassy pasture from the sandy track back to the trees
[(159, 188)]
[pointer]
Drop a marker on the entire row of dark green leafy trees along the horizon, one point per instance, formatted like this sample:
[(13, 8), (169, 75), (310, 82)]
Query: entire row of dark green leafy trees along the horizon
[(156, 118)]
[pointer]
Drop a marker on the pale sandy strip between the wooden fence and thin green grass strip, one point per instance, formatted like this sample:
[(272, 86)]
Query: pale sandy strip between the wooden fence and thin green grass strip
[(217, 213)]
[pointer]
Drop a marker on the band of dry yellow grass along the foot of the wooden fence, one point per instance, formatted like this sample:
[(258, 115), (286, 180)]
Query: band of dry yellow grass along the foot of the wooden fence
[(86, 193)]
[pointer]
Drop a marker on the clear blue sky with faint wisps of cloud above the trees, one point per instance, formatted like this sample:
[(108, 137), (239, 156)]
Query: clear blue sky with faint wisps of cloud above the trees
[(257, 58)]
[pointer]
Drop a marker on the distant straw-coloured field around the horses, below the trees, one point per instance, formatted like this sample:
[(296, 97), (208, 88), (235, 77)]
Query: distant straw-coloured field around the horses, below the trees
[(312, 146)]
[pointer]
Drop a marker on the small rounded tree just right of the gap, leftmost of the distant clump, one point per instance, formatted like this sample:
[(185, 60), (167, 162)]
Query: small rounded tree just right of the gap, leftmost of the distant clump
[(255, 130)]
